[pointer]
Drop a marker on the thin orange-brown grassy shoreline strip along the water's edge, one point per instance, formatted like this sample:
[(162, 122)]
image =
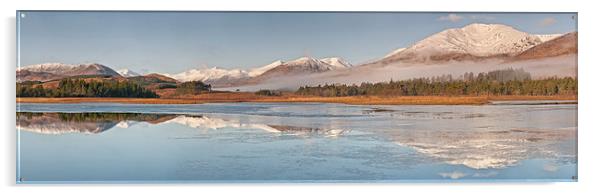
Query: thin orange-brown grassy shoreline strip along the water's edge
[(352, 100)]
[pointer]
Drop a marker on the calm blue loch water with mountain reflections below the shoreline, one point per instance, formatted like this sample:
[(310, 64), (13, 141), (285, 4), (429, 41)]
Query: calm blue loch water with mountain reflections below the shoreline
[(310, 142)]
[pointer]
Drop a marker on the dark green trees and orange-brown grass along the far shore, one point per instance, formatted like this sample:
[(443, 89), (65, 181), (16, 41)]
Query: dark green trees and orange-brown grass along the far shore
[(470, 88)]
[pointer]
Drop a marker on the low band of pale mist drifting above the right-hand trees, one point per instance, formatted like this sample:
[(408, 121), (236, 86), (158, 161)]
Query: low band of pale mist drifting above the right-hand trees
[(562, 66)]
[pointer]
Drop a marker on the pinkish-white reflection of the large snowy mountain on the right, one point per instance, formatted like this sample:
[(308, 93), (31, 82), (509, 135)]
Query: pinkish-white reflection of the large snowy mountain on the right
[(490, 149)]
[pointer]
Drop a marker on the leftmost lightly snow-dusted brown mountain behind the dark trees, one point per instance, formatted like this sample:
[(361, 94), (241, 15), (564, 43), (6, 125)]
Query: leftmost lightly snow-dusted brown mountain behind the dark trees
[(51, 71)]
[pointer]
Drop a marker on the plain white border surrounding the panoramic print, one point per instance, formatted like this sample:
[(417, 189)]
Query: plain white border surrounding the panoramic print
[(589, 96)]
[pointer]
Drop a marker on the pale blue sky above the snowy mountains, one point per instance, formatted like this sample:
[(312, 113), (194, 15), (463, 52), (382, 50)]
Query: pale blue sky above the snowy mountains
[(171, 42)]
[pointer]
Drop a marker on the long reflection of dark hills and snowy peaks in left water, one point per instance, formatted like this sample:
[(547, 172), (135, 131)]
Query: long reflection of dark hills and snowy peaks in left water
[(93, 123)]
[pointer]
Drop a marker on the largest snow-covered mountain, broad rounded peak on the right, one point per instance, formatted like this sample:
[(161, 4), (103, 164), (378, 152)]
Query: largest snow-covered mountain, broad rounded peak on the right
[(470, 42)]
